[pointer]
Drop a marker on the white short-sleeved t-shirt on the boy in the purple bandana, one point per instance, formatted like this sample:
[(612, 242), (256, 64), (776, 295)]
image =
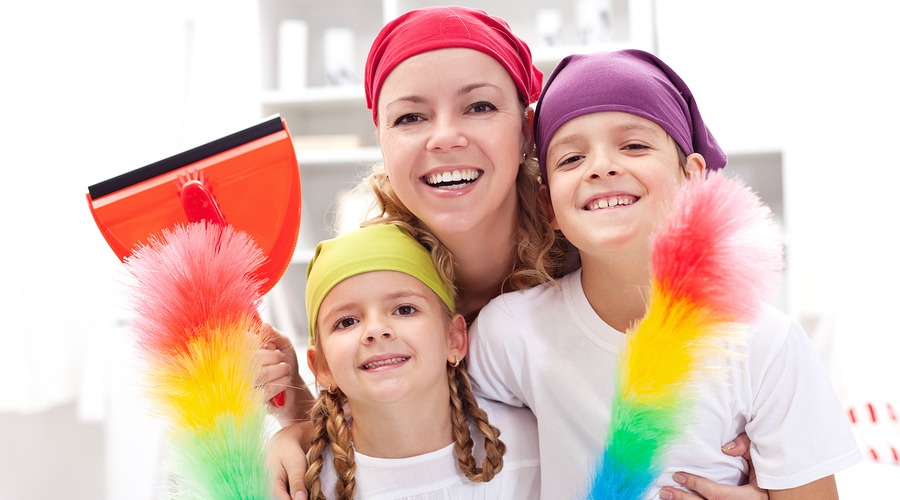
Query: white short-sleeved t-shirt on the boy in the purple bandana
[(546, 348)]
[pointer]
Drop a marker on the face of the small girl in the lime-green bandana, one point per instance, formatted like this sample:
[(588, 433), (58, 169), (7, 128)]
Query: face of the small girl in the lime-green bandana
[(385, 337)]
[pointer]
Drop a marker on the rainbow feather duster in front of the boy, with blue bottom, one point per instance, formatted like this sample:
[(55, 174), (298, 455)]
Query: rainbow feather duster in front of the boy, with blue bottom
[(714, 261)]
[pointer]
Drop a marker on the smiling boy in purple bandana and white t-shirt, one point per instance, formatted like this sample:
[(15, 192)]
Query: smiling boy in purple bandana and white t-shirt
[(617, 134)]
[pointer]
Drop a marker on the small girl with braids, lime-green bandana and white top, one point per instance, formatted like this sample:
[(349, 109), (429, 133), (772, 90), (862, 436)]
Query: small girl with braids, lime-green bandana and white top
[(387, 343)]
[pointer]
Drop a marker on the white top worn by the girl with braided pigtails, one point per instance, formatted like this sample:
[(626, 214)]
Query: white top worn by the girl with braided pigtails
[(436, 476)]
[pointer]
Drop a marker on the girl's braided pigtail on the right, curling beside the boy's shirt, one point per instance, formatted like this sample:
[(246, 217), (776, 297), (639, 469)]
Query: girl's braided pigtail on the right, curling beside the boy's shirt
[(464, 408)]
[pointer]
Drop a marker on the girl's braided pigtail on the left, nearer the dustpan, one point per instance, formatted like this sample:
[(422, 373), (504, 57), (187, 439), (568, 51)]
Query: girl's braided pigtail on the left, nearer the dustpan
[(330, 428)]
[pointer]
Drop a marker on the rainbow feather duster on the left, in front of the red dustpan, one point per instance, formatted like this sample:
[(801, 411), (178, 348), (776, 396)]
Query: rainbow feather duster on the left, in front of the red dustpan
[(195, 298)]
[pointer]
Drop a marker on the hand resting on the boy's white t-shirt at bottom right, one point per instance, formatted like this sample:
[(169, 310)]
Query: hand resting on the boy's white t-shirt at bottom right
[(705, 489)]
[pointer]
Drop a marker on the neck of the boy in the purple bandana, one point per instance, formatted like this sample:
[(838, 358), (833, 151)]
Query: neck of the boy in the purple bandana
[(618, 290)]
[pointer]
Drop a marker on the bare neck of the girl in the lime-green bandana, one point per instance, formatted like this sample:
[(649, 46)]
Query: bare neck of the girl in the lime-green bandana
[(403, 429)]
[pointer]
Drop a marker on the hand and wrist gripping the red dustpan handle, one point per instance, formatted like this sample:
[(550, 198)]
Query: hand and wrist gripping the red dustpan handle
[(279, 372)]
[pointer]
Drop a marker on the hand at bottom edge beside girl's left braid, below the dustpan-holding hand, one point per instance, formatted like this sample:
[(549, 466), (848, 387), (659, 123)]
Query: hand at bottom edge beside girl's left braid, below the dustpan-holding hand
[(287, 461)]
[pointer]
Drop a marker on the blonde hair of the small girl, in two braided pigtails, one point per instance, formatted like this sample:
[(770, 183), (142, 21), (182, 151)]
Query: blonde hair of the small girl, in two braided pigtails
[(331, 429)]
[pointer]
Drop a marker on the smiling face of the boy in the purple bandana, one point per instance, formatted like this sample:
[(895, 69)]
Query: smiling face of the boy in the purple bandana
[(612, 179)]
